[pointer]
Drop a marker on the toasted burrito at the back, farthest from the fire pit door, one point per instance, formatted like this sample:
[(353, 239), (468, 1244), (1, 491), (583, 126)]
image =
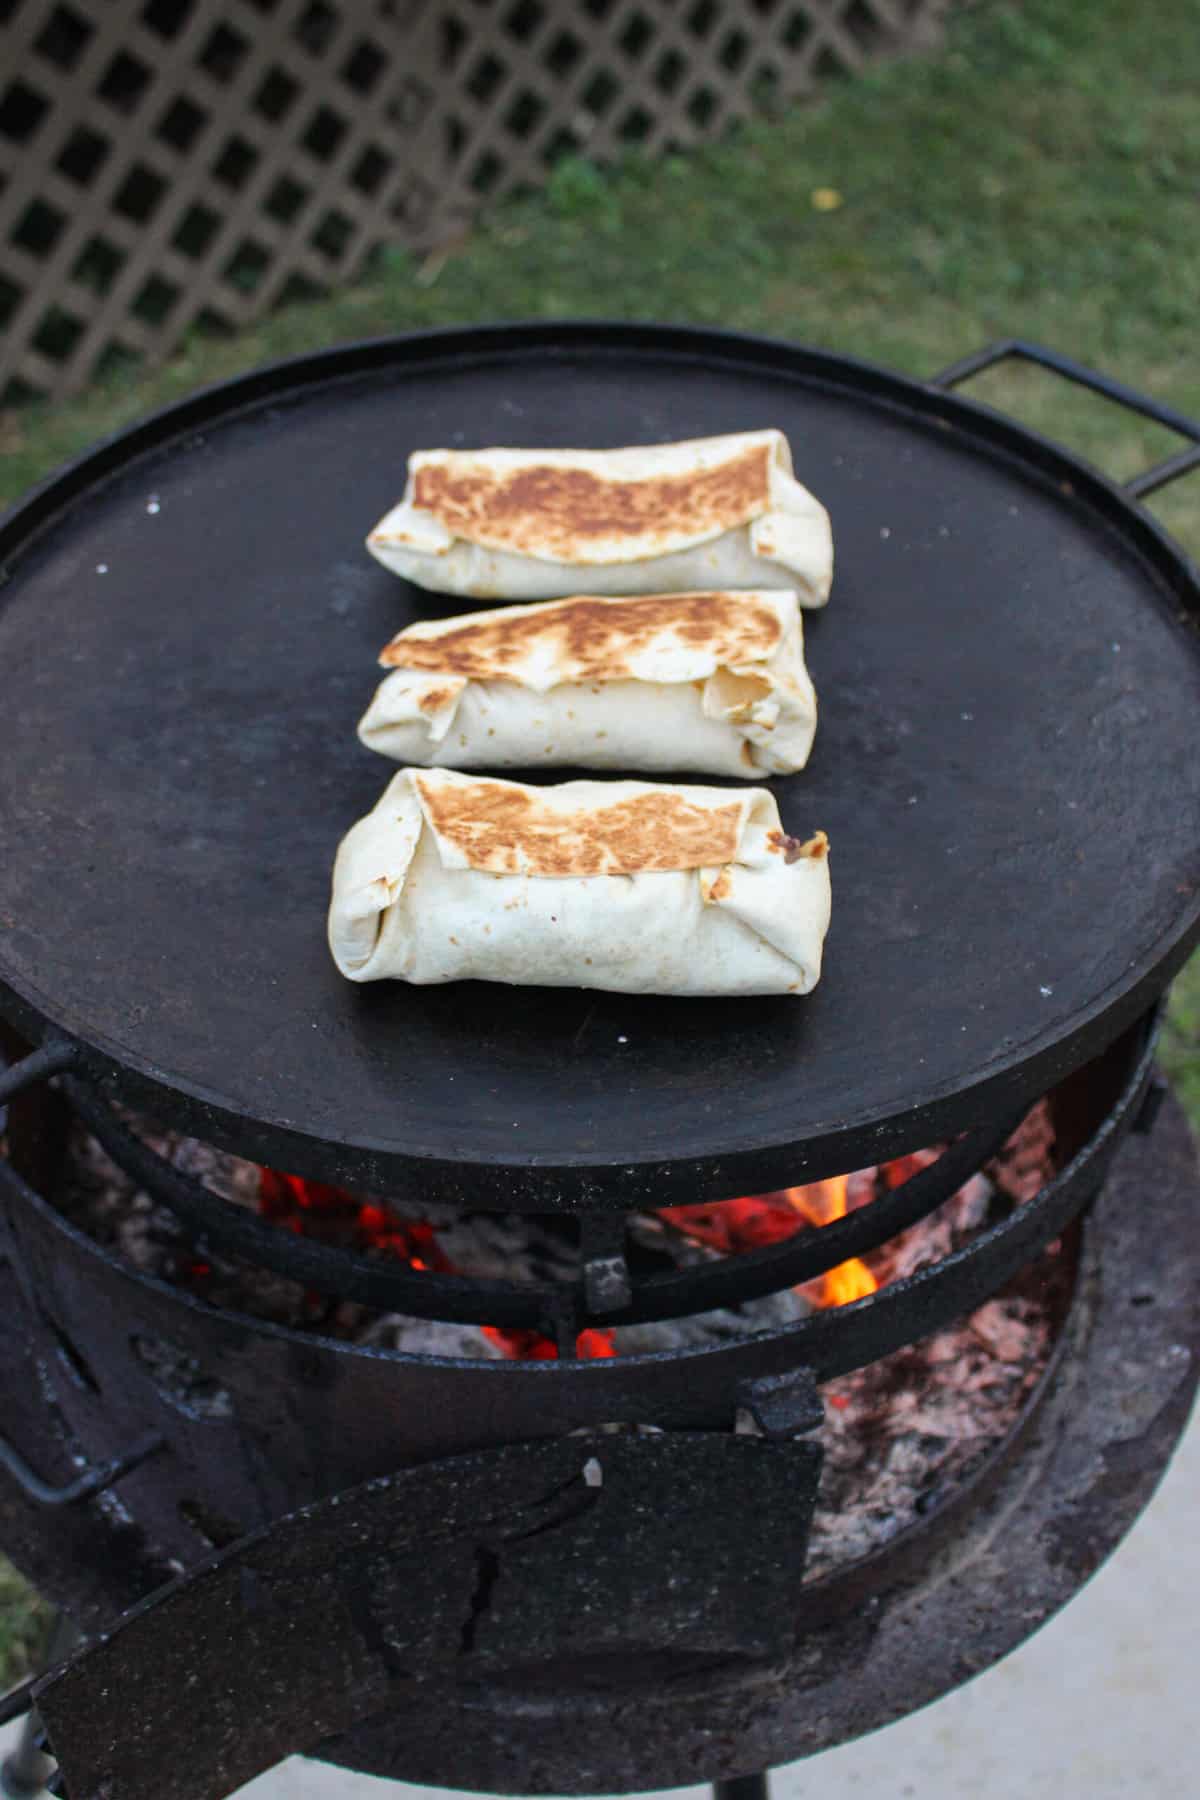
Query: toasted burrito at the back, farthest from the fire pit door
[(656, 519)]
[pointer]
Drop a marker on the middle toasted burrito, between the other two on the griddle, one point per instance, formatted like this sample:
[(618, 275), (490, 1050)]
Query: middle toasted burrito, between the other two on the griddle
[(713, 683)]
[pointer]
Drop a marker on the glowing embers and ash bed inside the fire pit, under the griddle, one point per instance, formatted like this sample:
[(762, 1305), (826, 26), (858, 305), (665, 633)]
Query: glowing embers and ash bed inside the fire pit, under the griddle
[(899, 1434)]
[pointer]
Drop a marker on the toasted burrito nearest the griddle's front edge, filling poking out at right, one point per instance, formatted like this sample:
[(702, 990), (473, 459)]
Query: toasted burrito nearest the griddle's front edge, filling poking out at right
[(589, 885)]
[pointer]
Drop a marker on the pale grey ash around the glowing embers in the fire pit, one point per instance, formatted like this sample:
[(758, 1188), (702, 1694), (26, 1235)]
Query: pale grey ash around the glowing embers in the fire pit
[(899, 1435)]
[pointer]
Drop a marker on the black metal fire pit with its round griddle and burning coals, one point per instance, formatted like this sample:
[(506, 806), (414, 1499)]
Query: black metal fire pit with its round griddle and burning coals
[(577, 1570)]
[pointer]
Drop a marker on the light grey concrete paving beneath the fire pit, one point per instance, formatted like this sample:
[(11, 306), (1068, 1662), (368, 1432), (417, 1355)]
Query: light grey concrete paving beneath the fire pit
[(1098, 1707)]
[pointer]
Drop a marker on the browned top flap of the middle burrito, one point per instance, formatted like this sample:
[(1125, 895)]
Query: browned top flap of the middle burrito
[(591, 640)]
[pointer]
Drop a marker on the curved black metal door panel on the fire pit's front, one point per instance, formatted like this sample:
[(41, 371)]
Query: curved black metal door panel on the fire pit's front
[(681, 1549)]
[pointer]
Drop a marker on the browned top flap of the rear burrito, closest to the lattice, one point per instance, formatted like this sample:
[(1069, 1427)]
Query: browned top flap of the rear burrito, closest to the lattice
[(559, 512)]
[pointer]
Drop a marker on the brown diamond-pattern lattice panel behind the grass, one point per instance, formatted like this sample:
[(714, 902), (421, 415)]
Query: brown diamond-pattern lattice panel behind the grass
[(179, 161)]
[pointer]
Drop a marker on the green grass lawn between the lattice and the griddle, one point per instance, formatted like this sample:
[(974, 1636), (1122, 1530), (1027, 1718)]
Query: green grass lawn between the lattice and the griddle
[(1037, 179)]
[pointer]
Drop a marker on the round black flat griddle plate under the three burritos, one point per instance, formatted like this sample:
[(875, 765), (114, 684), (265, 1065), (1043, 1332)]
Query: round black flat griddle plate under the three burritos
[(1007, 768)]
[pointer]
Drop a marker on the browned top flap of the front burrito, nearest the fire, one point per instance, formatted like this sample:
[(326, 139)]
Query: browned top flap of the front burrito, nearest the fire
[(510, 831)]
